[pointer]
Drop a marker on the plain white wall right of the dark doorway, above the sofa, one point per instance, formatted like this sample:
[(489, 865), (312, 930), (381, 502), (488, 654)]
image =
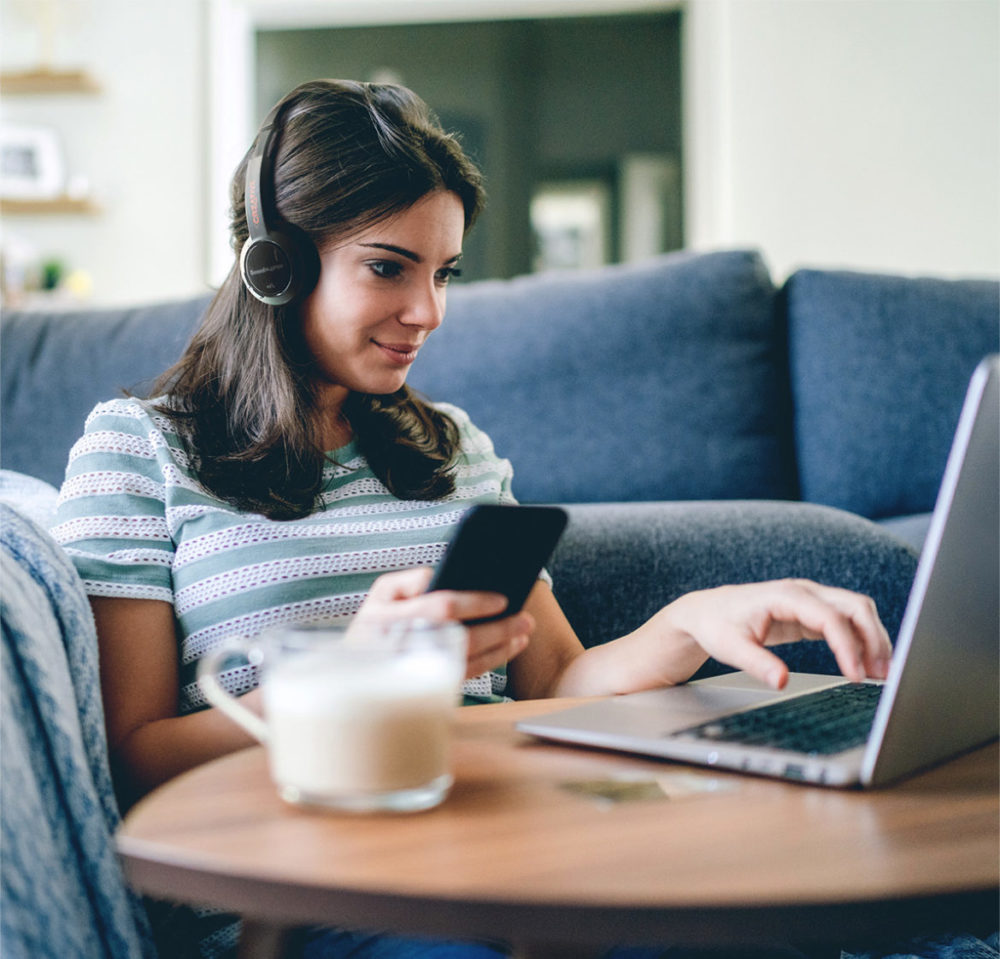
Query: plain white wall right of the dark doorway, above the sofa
[(859, 133)]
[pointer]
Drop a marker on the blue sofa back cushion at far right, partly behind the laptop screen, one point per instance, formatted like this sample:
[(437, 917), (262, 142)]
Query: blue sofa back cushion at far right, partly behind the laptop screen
[(879, 370)]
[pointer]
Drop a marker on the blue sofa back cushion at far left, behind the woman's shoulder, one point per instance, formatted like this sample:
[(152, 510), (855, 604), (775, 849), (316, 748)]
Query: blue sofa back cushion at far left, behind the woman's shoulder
[(55, 367)]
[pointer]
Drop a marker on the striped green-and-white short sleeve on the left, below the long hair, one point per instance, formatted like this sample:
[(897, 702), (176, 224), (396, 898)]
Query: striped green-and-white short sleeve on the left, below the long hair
[(112, 512)]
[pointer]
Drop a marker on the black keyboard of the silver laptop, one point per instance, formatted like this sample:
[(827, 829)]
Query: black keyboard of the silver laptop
[(824, 722)]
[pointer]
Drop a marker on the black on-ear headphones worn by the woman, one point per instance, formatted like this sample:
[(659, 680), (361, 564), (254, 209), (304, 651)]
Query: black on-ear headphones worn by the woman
[(275, 268)]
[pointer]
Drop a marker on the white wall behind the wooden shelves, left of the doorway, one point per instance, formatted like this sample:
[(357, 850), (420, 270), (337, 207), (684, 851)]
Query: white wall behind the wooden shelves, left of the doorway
[(141, 142)]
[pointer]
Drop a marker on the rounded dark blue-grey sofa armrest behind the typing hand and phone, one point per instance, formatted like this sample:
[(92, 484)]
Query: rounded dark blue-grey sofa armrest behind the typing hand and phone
[(618, 564)]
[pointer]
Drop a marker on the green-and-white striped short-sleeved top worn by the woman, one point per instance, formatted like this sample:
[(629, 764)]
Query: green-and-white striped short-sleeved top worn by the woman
[(138, 524)]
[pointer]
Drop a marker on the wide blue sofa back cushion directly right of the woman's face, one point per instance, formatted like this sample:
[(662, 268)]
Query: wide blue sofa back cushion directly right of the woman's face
[(662, 380)]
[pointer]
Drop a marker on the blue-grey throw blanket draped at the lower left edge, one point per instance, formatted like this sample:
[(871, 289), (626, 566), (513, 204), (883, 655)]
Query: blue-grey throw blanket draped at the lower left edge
[(64, 895)]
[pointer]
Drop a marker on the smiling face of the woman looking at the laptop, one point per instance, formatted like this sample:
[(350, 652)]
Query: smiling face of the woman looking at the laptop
[(380, 295)]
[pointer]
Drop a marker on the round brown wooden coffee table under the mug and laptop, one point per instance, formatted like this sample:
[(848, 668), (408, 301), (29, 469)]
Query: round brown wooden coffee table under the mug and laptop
[(522, 851)]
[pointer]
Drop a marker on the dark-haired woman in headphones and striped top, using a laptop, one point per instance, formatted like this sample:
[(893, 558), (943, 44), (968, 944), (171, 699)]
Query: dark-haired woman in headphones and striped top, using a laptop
[(285, 472)]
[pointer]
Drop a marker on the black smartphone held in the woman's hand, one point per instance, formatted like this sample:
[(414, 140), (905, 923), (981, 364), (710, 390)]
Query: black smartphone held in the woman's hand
[(500, 549)]
